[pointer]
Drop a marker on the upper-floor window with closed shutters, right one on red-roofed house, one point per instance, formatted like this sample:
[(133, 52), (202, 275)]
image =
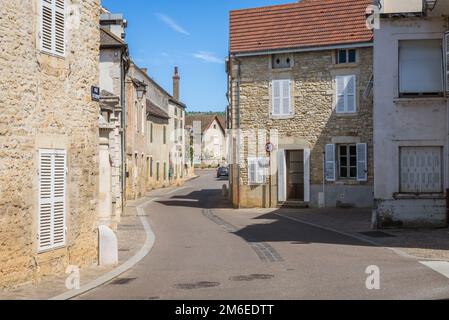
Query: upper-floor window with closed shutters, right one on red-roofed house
[(346, 94)]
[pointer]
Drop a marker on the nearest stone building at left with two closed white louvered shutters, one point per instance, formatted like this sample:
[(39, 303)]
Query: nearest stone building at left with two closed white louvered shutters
[(48, 137)]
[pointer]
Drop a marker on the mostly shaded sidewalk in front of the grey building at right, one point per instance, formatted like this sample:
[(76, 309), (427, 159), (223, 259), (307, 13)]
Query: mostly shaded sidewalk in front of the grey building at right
[(421, 243)]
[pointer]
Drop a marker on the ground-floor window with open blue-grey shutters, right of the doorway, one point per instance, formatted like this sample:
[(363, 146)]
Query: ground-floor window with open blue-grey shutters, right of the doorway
[(349, 160)]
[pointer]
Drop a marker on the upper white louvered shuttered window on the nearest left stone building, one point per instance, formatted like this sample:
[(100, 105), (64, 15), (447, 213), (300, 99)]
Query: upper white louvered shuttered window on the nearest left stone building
[(52, 29)]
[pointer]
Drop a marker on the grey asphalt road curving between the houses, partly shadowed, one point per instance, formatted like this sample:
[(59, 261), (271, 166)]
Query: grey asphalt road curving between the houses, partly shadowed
[(205, 250)]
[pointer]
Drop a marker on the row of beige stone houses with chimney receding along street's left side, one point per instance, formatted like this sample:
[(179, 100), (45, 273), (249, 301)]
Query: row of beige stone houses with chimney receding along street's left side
[(152, 149)]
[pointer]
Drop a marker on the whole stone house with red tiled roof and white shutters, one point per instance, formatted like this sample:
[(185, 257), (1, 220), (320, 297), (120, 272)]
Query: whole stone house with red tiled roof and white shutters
[(300, 105)]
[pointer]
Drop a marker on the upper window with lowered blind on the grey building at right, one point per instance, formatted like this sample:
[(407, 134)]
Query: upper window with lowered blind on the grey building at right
[(420, 68)]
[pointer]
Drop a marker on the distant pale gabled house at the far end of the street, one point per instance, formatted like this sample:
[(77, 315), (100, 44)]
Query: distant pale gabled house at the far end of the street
[(209, 139)]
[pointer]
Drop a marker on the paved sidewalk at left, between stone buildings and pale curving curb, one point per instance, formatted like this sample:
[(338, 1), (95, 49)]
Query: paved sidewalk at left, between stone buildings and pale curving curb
[(131, 238)]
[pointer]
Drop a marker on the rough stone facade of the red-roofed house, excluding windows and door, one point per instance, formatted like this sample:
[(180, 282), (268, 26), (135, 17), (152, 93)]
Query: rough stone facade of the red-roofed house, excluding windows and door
[(314, 123)]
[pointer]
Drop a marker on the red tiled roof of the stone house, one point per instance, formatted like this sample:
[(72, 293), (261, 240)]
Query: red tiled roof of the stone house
[(309, 23)]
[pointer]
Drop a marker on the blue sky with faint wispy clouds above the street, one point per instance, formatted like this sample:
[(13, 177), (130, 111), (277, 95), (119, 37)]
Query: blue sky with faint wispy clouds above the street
[(192, 34)]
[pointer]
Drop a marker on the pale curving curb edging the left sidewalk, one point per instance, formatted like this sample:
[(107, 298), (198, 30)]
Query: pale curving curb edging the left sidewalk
[(143, 252)]
